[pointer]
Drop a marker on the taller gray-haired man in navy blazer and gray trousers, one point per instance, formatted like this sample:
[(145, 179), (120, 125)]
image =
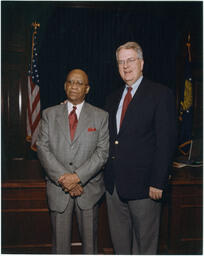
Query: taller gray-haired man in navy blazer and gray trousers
[(142, 125)]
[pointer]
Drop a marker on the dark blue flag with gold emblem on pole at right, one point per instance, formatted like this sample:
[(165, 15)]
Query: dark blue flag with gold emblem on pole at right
[(186, 107)]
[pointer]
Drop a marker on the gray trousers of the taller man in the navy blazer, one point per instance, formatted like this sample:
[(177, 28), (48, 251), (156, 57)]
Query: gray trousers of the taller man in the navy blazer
[(134, 224)]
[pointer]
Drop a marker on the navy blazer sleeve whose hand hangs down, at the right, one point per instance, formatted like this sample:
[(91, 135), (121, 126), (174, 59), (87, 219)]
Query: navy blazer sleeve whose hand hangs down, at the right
[(166, 139)]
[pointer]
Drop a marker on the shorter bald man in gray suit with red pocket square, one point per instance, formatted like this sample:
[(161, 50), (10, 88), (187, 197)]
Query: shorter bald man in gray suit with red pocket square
[(73, 146)]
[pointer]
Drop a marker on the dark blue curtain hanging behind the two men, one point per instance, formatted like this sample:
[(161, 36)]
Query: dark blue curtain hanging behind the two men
[(87, 38)]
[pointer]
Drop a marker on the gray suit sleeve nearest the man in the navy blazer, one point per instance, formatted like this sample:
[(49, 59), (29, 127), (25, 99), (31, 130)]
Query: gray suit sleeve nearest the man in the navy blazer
[(94, 164)]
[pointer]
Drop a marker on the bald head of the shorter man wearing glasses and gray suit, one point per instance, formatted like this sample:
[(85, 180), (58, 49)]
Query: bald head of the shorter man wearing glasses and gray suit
[(76, 86)]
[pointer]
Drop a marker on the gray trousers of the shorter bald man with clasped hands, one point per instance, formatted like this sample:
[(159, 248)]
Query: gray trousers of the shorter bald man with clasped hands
[(62, 229)]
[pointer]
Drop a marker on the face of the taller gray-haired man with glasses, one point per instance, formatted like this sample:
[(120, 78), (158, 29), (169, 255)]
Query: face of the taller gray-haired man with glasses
[(129, 65)]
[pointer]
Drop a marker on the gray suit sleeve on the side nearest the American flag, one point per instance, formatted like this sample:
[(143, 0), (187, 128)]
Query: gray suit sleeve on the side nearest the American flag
[(52, 166)]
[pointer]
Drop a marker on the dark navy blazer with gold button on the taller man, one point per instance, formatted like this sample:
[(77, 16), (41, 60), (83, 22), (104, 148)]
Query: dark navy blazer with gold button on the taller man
[(141, 153)]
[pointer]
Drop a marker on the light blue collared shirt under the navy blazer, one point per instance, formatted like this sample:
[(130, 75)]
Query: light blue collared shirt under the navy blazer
[(133, 91)]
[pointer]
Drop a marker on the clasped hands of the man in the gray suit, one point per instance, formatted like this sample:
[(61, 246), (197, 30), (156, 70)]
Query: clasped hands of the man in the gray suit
[(69, 181)]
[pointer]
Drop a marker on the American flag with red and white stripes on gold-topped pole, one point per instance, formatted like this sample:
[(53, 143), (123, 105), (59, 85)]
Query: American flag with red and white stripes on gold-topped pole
[(33, 105)]
